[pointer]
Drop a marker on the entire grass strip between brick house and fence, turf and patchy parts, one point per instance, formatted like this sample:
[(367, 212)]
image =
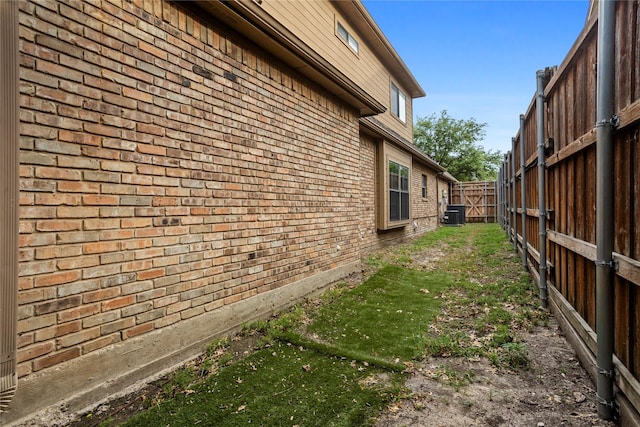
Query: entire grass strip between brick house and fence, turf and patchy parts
[(339, 359)]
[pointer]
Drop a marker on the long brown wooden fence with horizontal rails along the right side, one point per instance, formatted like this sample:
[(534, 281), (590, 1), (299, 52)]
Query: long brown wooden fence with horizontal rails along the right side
[(569, 211)]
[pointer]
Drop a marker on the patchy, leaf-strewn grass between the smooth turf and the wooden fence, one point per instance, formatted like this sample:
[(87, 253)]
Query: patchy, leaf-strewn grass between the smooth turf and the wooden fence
[(493, 301)]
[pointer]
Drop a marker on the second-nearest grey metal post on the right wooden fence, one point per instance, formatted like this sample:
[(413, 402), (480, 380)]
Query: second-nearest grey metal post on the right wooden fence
[(542, 211)]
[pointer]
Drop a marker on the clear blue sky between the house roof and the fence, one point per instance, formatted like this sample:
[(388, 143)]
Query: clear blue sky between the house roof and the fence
[(478, 59)]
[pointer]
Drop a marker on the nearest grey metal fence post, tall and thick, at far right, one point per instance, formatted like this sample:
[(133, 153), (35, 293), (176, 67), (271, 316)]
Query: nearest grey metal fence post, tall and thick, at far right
[(604, 207)]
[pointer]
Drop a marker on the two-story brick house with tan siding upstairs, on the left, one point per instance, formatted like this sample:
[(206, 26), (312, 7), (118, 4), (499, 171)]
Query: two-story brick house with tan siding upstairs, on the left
[(188, 167)]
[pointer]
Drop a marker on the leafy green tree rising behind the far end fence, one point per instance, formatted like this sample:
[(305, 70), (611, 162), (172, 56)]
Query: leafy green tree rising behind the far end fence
[(454, 144)]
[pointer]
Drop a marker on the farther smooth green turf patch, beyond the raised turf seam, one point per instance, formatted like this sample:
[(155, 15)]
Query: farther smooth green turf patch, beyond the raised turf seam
[(387, 316)]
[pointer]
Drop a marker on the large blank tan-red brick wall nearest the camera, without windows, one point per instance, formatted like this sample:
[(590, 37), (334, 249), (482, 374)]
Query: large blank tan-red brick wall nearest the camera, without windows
[(167, 170)]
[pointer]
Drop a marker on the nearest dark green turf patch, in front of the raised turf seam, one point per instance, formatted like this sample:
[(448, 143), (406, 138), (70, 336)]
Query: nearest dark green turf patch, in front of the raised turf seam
[(281, 385)]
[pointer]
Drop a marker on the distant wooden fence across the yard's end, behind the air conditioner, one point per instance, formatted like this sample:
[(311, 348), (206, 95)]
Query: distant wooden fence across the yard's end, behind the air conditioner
[(479, 199)]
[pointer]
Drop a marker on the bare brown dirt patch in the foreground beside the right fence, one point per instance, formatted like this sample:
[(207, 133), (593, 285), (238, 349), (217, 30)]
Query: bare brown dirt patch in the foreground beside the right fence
[(555, 391)]
